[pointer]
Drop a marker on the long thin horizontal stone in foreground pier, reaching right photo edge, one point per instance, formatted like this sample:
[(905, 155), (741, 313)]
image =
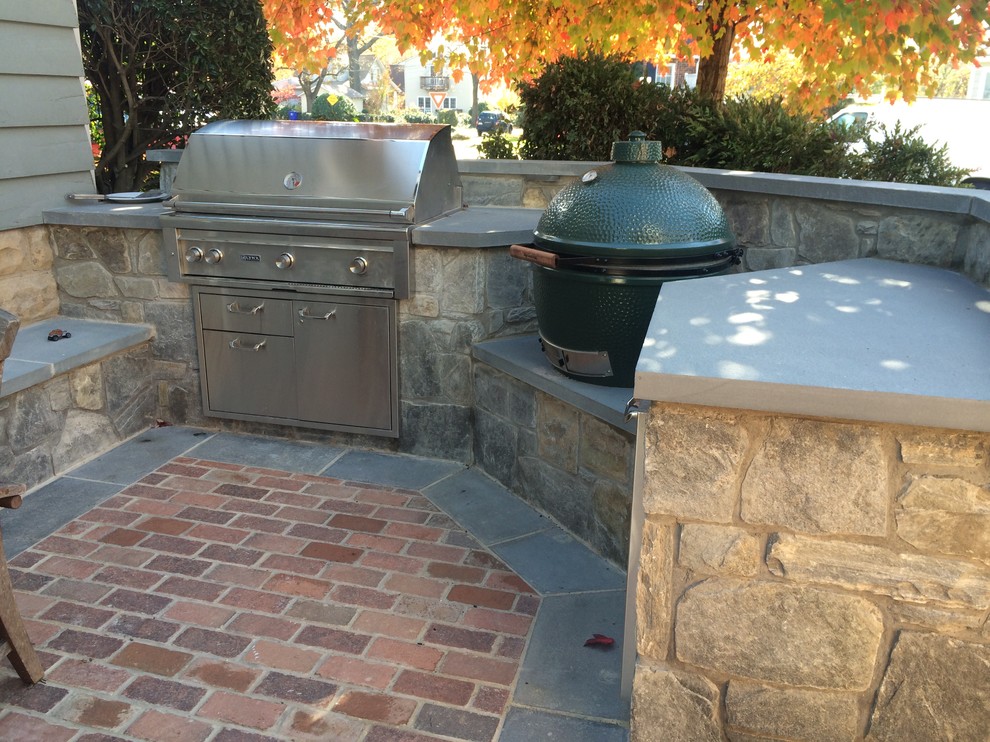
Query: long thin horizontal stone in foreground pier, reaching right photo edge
[(864, 567)]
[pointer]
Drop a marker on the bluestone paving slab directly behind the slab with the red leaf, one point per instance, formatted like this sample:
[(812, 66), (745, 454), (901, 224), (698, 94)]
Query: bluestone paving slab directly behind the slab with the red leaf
[(554, 562)]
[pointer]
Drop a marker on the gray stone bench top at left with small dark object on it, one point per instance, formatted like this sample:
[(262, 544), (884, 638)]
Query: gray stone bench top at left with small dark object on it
[(35, 359)]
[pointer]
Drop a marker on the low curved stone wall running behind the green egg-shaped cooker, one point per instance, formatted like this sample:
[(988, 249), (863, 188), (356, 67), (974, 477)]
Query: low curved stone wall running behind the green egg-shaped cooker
[(785, 220)]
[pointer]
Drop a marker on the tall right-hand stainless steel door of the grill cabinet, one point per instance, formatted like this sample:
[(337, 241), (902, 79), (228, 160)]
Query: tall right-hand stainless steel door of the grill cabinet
[(344, 363)]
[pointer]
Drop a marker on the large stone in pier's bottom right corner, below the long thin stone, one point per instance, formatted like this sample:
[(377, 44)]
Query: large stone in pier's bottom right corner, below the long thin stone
[(935, 687)]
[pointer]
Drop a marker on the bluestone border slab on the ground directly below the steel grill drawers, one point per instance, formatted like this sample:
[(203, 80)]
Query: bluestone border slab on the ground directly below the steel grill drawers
[(268, 453)]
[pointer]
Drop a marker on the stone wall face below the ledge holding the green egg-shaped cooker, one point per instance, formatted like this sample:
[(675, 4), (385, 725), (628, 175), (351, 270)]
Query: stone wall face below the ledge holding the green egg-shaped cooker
[(566, 462)]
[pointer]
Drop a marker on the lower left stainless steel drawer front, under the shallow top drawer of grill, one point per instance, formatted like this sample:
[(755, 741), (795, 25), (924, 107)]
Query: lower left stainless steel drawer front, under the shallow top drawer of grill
[(250, 374)]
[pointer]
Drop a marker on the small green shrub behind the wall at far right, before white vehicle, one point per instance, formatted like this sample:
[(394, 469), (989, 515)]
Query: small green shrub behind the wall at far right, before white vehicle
[(901, 156)]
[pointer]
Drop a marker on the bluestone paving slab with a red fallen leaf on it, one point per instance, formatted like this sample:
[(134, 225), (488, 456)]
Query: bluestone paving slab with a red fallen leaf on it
[(559, 673)]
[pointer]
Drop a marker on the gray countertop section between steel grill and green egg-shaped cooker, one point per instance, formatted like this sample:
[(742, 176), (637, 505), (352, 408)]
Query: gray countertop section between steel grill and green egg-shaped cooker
[(479, 226)]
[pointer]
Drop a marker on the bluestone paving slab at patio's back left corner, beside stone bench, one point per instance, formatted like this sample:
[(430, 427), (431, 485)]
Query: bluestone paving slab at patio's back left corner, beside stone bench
[(141, 455)]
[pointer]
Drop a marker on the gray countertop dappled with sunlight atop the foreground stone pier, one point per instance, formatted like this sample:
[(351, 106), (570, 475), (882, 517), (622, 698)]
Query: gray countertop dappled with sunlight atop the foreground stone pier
[(868, 340)]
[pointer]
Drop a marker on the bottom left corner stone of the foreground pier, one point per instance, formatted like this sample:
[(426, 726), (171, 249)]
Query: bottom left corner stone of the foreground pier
[(668, 706)]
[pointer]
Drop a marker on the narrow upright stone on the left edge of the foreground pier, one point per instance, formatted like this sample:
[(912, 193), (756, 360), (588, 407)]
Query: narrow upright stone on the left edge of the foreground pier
[(654, 590)]
